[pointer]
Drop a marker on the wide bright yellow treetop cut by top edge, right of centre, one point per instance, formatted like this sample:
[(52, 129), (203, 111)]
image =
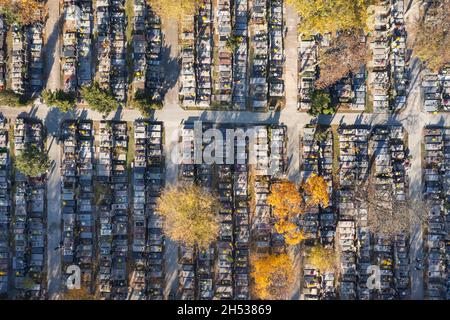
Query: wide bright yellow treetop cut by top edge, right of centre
[(323, 16)]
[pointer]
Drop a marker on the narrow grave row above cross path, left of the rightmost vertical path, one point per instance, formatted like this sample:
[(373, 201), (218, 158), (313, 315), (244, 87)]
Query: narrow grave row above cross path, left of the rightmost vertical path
[(398, 55)]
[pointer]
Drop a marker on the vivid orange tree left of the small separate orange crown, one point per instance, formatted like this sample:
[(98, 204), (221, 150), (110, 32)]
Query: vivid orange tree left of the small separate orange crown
[(287, 204)]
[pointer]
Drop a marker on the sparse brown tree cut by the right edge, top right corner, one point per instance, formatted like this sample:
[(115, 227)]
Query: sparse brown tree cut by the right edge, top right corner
[(432, 41)]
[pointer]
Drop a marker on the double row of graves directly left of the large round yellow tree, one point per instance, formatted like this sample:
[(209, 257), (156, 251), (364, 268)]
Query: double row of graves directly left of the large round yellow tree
[(148, 246)]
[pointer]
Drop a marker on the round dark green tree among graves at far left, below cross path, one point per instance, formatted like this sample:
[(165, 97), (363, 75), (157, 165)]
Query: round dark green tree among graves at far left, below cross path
[(32, 161)]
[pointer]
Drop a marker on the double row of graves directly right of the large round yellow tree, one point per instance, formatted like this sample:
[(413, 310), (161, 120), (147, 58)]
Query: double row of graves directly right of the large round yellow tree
[(232, 278)]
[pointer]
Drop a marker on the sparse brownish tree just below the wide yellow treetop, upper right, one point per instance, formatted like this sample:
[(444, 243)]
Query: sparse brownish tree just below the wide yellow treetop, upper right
[(345, 54)]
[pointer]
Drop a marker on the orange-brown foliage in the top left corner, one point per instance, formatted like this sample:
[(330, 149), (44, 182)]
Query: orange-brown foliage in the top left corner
[(22, 11)]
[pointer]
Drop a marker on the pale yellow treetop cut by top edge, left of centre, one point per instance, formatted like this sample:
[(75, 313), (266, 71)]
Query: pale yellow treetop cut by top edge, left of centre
[(174, 9)]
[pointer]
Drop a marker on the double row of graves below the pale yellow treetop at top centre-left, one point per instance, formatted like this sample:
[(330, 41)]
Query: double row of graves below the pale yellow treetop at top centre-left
[(196, 40)]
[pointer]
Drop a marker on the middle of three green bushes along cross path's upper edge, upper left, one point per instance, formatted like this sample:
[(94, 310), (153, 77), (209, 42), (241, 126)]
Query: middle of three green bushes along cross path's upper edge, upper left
[(98, 99)]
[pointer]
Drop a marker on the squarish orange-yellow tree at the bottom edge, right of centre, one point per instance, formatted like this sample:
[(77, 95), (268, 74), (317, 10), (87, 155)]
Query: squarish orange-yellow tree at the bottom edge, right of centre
[(272, 275)]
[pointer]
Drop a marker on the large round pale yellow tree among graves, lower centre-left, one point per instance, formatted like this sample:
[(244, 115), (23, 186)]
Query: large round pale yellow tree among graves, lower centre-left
[(191, 214)]
